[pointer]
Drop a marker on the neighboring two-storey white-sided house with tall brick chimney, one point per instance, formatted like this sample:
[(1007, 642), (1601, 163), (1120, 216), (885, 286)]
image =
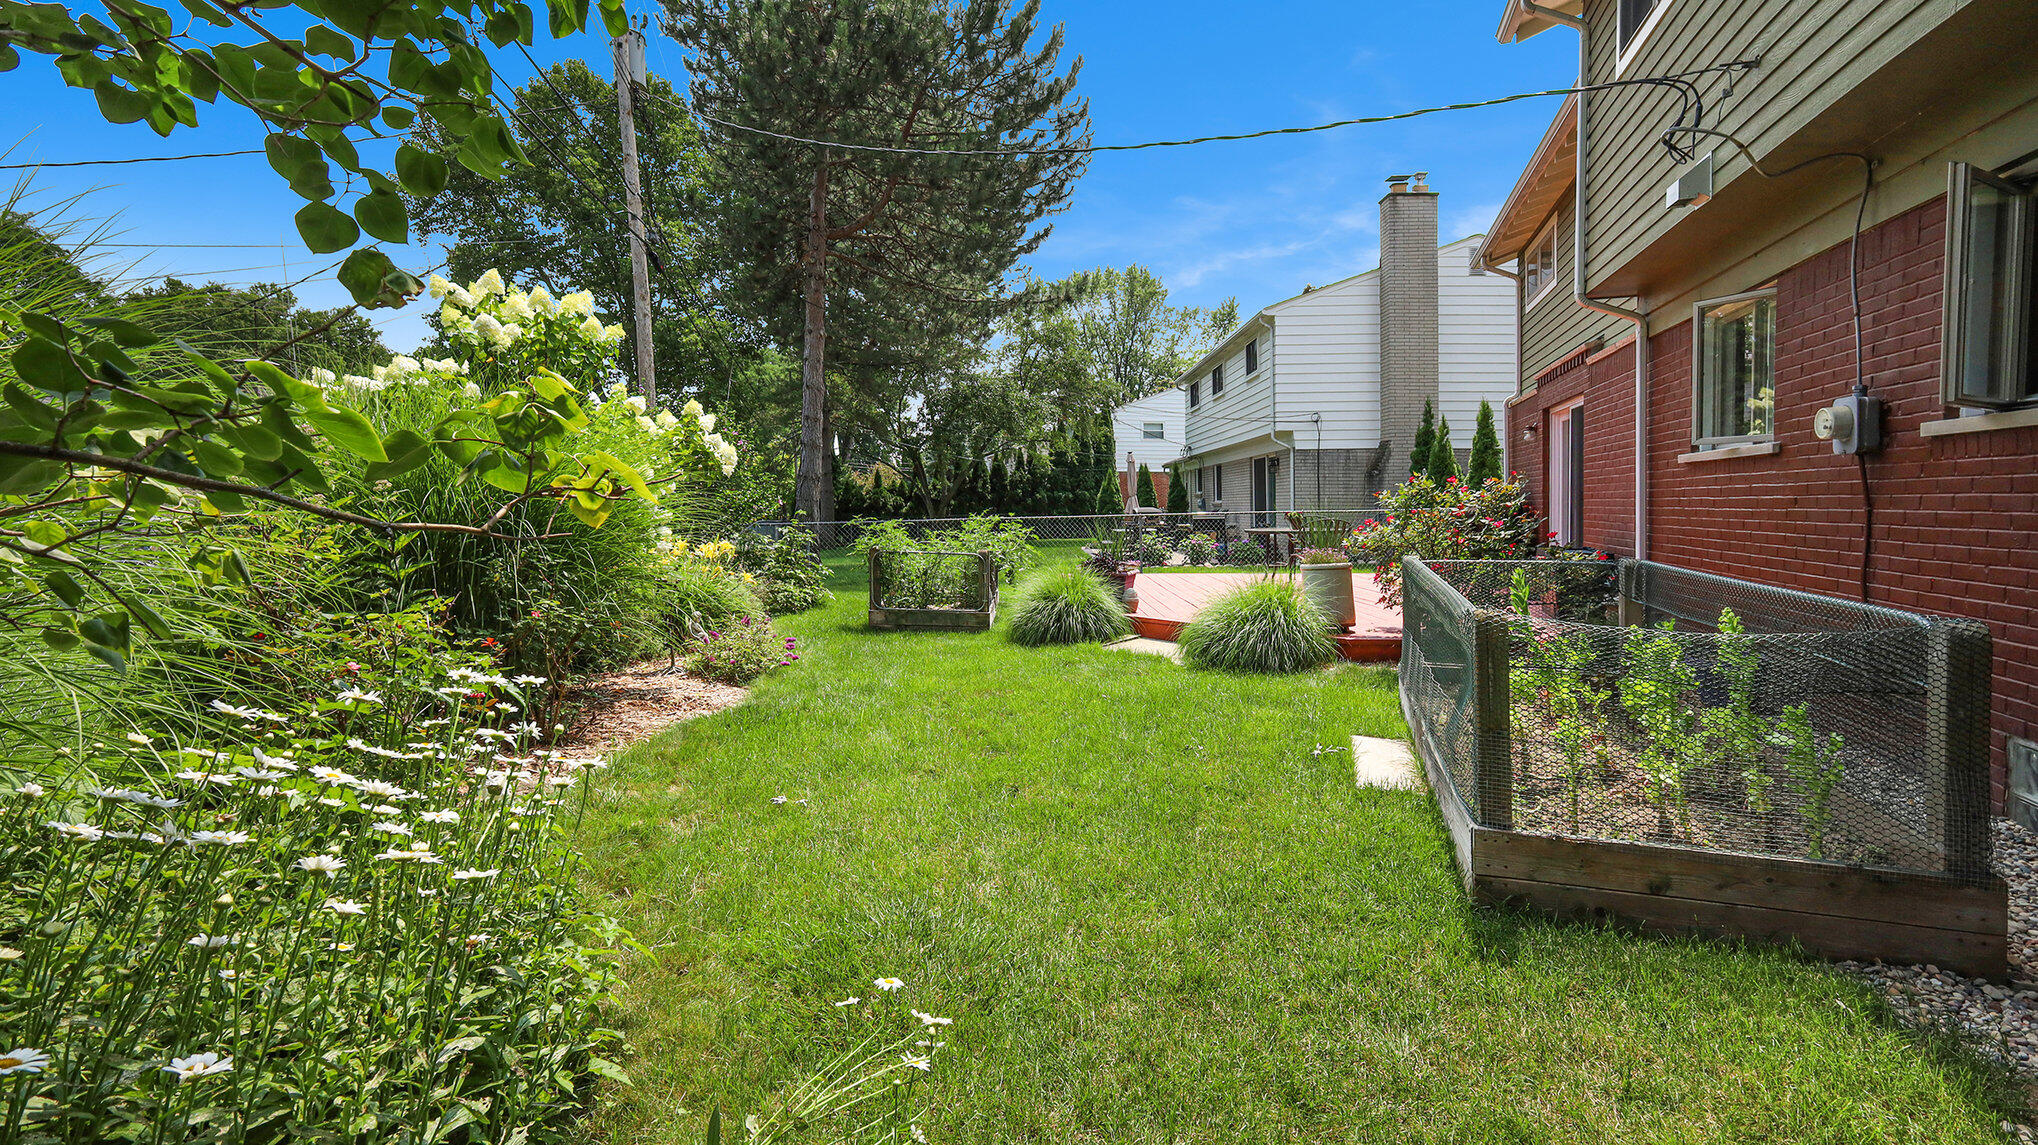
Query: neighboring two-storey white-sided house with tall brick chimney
[(1316, 400)]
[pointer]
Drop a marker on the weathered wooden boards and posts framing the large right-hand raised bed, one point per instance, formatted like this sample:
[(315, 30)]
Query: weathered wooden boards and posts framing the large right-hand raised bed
[(1955, 920)]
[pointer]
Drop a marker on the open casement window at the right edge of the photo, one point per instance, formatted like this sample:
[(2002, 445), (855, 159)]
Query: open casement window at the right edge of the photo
[(1992, 303)]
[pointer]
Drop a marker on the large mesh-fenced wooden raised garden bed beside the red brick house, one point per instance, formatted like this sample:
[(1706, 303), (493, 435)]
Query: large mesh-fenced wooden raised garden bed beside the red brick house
[(1699, 753)]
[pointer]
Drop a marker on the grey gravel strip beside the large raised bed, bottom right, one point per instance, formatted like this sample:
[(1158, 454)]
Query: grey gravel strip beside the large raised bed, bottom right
[(1996, 1020)]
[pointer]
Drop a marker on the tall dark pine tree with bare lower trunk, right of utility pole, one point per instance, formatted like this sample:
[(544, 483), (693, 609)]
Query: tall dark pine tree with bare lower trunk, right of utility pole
[(879, 227)]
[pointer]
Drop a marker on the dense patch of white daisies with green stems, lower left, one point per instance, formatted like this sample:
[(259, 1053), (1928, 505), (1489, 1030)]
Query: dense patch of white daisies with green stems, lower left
[(341, 922)]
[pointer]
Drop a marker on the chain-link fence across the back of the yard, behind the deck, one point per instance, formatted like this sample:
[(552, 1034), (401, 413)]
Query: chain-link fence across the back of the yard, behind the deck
[(1152, 539)]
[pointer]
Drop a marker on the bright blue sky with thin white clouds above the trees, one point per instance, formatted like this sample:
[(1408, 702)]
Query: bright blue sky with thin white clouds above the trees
[(1256, 219)]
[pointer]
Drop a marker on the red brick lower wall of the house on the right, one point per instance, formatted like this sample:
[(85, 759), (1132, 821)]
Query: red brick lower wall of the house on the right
[(1955, 516)]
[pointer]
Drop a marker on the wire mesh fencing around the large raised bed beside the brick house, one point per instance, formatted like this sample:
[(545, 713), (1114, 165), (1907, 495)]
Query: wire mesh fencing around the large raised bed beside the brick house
[(1662, 706)]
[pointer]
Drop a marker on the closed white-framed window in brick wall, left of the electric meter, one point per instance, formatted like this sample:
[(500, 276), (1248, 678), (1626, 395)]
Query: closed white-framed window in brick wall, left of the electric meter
[(1733, 378)]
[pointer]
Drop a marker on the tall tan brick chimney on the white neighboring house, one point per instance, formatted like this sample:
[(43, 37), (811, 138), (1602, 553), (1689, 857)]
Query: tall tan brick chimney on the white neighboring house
[(1407, 311)]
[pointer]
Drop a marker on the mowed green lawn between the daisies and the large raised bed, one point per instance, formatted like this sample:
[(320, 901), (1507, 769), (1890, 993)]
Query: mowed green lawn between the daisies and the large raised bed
[(1157, 918)]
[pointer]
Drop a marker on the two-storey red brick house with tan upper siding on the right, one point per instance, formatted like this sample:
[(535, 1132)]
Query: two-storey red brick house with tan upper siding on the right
[(1686, 235)]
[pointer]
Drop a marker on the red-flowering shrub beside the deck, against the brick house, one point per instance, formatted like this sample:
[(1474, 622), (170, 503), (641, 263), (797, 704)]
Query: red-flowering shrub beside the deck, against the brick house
[(1446, 523)]
